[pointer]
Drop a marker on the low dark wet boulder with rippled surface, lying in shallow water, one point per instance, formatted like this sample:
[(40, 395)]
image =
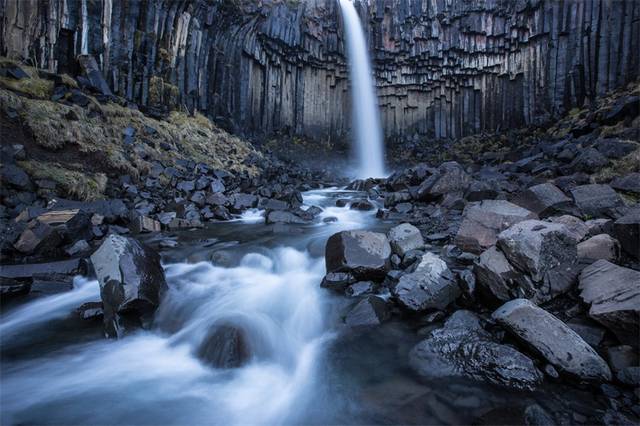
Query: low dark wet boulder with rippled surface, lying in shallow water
[(462, 348)]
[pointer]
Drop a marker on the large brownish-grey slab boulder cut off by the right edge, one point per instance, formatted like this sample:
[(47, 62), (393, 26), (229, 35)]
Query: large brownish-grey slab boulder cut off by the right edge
[(614, 295)]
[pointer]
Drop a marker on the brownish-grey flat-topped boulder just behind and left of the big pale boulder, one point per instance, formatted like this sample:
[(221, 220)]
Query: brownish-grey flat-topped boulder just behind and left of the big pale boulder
[(483, 221)]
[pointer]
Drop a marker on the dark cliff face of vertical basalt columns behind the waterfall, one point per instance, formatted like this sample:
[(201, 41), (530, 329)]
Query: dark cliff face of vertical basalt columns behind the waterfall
[(444, 68)]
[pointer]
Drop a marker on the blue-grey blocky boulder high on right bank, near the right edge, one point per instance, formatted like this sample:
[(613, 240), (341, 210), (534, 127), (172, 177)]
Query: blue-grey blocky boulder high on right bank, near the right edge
[(596, 200)]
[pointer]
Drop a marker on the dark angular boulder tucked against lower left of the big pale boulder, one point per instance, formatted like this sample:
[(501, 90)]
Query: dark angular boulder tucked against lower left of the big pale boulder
[(495, 274)]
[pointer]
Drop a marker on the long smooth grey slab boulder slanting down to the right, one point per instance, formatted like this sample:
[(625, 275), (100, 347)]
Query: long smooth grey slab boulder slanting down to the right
[(553, 339)]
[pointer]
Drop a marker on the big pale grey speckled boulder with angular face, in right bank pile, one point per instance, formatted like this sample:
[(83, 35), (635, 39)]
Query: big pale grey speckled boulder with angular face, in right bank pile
[(538, 248)]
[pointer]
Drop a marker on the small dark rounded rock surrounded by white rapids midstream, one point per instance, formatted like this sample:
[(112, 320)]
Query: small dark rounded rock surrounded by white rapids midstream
[(225, 347)]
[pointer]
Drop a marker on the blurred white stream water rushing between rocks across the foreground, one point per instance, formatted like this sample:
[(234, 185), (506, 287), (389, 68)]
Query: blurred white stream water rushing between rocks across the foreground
[(306, 366)]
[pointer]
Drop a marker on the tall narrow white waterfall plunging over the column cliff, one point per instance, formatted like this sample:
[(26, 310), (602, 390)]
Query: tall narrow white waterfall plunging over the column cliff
[(366, 118)]
